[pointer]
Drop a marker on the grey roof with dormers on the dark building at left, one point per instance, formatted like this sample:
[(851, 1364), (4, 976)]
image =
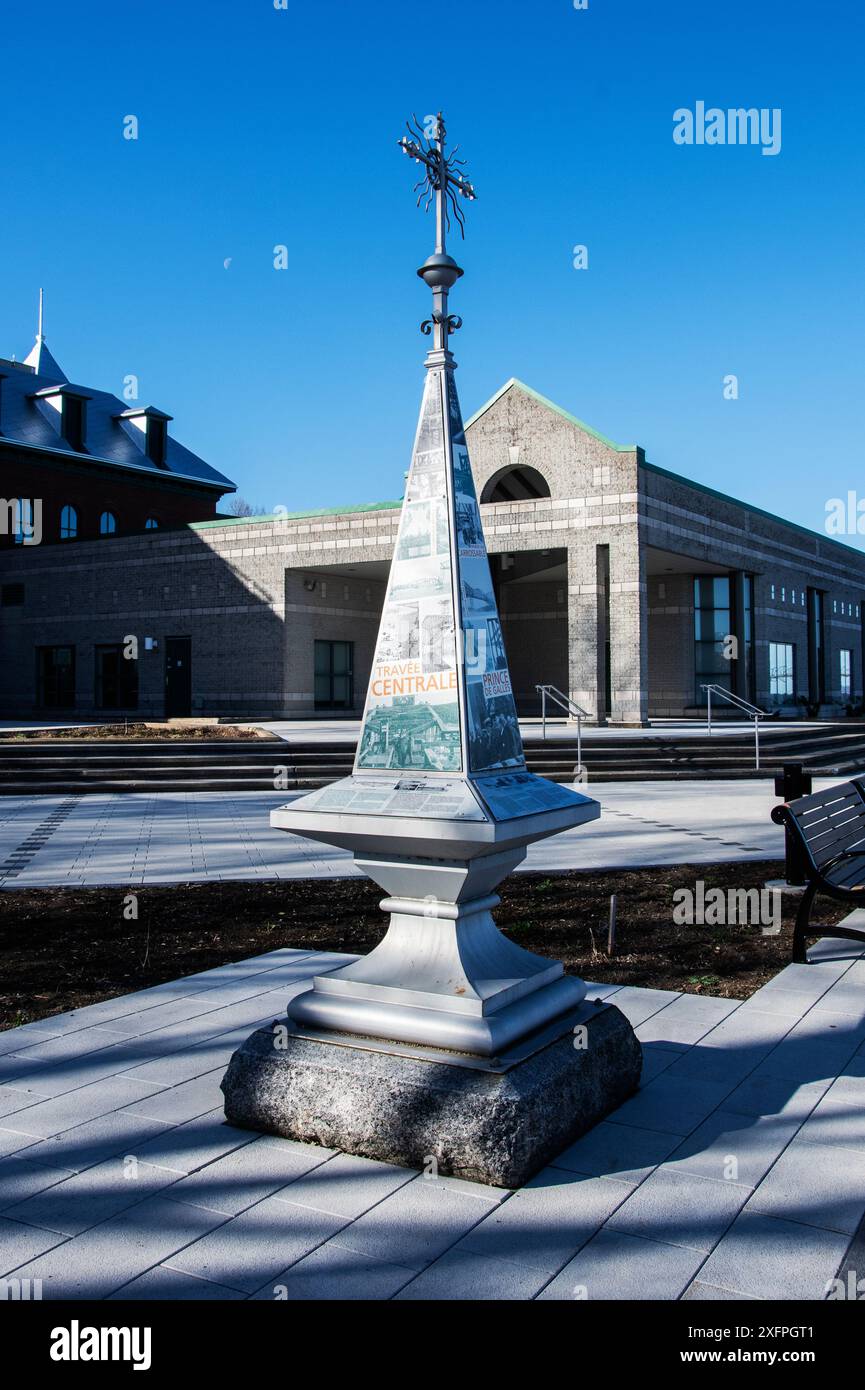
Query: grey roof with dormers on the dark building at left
[(118, 443)]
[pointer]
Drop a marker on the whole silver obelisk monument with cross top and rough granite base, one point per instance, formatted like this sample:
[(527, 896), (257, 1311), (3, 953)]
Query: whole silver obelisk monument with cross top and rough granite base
[(448, 1040)]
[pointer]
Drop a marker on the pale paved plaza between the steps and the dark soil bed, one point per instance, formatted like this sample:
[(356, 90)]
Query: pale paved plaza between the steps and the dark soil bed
[(177, 837)]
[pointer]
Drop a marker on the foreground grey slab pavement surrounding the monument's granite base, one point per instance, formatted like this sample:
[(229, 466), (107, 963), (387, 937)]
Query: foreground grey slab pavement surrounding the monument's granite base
[(736, 1172)]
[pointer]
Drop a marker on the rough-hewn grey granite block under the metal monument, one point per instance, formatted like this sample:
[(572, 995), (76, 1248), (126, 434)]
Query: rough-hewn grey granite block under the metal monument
[(493, 1127)]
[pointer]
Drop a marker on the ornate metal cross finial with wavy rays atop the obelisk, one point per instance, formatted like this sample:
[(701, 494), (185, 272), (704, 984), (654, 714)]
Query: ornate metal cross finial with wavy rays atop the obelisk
[(444, 181)]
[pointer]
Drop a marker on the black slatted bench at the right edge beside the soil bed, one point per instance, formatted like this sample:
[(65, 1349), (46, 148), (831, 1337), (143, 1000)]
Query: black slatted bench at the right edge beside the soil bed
[(828, 831)]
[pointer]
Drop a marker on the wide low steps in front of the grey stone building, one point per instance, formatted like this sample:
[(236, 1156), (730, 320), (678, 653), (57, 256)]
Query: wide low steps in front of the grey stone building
[(80, 767)]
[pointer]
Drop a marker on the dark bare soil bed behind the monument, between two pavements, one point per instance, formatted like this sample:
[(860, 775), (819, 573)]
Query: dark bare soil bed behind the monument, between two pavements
[(65, 949)]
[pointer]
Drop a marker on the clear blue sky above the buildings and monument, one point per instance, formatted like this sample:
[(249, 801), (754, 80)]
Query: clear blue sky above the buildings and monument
[(262, 127)]
